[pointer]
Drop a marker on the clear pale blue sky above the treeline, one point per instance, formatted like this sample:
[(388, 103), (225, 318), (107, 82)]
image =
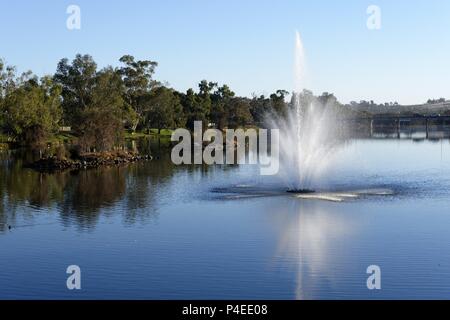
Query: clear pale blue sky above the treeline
[(247, 44)]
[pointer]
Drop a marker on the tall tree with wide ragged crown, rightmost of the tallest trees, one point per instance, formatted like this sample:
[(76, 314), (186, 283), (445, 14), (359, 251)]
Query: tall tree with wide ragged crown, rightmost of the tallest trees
[(138, 79)]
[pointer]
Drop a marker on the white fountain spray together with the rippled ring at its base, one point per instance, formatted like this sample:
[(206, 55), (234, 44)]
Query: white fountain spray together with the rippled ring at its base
[(311, 132)]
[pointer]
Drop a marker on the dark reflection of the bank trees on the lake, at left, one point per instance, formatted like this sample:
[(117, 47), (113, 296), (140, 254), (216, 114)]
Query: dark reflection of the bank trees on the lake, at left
[(81, 197)]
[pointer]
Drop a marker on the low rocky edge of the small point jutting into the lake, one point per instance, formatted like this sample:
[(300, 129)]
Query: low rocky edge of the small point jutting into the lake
[(85, 161)]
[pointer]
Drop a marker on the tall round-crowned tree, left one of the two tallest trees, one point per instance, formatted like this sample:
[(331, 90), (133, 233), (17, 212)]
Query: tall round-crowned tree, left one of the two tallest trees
[(77, 81)]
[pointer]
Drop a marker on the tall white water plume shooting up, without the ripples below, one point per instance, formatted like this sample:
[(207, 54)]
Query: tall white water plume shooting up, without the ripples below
[(309, 134)]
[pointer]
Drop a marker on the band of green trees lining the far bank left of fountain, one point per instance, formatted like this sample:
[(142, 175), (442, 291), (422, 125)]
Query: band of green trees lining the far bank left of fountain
[(96, 109)]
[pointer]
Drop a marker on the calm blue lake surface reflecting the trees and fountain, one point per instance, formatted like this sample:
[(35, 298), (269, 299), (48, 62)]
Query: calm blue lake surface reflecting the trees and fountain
[(155, 231)]
